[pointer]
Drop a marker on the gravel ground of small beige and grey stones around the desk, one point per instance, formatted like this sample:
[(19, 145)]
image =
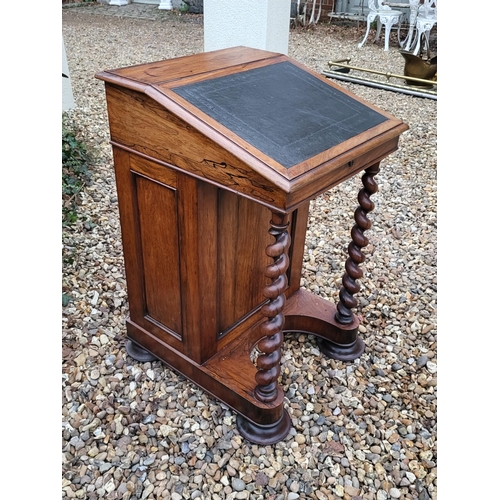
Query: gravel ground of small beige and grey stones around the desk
[(361, 430)]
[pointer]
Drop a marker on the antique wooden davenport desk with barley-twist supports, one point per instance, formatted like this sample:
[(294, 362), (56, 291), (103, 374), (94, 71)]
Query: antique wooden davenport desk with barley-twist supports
[(217, 156)]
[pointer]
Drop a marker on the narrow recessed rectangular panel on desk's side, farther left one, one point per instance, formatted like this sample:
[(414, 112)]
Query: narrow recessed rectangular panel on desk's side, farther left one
[(157, 209)]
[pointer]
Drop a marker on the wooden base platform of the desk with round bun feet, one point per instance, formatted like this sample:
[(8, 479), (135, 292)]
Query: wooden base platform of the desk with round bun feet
[(229, 375)]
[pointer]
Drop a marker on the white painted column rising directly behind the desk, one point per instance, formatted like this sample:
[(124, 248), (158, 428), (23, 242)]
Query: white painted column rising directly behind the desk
[(261, 24)]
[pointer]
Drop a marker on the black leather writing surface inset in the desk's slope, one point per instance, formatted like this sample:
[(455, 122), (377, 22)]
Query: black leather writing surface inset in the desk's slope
[(282, 110)]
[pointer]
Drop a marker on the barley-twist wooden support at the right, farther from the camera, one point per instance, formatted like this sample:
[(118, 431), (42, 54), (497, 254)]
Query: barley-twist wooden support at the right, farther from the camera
[(356, 256)]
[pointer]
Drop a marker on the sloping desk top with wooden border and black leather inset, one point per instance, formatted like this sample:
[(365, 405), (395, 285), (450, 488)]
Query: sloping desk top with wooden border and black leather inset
[(268, 110)]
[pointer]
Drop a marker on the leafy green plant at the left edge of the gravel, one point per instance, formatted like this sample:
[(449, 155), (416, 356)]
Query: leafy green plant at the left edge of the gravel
[(76, 159)]
